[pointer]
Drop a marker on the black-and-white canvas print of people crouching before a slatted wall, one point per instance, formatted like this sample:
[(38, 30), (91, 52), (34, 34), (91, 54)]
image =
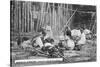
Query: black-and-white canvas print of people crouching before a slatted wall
[(43, 33)]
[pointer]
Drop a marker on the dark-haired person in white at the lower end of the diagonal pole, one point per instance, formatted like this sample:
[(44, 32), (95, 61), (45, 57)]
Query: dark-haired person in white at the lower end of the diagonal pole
[(66, 39)]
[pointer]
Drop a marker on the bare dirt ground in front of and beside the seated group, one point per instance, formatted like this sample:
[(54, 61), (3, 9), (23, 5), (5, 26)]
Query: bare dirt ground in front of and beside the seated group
[(86, 54)]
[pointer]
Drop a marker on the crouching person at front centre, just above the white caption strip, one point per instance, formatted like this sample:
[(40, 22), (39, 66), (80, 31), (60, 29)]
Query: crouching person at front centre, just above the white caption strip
[(50, 48)]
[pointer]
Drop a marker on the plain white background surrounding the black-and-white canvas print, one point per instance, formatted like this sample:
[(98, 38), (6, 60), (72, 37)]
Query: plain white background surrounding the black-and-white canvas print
[(5, 32)]
